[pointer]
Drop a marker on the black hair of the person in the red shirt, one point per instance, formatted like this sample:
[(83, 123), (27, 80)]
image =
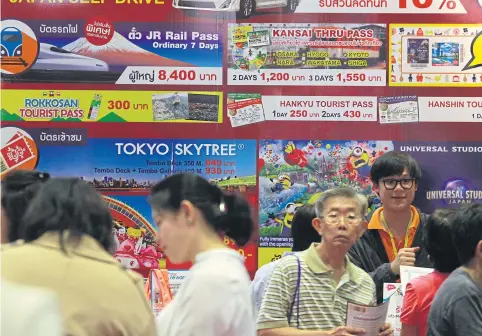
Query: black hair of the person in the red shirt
[(438, 240)]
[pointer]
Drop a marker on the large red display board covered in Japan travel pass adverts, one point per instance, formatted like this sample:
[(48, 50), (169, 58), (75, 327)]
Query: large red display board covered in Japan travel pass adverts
[(119, 92)]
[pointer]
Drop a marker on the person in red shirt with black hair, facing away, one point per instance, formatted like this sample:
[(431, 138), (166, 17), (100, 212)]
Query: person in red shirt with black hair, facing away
[(420, 292)]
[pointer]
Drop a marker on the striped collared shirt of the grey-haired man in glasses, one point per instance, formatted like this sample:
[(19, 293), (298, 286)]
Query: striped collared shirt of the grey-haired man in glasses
[(322, 303)]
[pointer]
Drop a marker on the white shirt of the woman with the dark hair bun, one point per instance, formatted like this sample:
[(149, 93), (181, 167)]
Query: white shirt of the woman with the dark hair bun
[(214, 300)]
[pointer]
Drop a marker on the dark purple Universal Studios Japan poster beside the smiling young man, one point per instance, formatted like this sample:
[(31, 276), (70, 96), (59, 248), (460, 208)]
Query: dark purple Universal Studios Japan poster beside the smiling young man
[(450, 173)]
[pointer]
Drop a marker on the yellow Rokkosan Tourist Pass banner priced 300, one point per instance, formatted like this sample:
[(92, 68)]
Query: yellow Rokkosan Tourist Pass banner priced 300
[(112, 106)]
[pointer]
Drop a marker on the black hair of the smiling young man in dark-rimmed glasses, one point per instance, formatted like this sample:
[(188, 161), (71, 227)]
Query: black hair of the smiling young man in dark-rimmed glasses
[(392, 164)]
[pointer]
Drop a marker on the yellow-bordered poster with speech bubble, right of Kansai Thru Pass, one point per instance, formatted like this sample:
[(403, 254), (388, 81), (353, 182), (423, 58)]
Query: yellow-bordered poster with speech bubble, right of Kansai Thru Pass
[(435, 55)]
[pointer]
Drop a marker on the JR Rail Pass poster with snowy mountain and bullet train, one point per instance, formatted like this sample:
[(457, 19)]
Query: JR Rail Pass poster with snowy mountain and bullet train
[(101, 51)]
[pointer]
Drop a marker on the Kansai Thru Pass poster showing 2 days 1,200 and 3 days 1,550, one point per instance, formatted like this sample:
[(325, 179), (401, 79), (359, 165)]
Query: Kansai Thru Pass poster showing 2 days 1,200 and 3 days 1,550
[(314, 54)]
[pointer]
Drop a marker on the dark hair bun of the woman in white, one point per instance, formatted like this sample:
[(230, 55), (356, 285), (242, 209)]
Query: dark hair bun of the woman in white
[(236, 220)]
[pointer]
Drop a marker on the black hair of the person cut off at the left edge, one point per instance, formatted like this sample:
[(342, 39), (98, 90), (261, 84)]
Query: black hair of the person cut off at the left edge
[(19, 187)]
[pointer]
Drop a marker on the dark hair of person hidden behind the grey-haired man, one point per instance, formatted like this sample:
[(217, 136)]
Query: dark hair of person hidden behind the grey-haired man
[(302, 230)]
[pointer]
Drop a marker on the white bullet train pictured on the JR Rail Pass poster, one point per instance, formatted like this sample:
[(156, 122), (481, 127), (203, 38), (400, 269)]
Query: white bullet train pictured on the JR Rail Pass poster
[(52, 58)]
